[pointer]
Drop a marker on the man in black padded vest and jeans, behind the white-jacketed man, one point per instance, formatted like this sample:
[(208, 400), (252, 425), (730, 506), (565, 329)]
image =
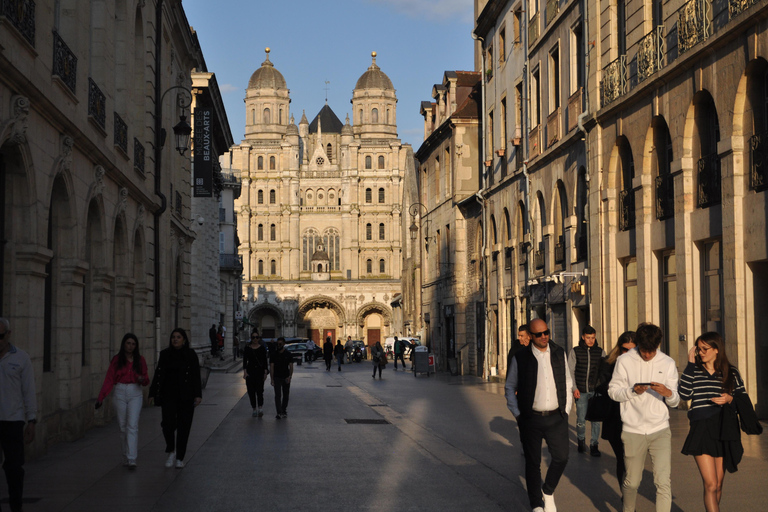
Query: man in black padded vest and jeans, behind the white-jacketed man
[(583, 363)]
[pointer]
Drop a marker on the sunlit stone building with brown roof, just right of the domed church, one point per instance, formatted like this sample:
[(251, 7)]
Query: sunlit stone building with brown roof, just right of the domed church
[(447, 227)]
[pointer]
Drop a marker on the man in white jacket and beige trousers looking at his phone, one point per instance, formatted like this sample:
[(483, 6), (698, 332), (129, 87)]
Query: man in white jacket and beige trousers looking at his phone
[(645, 383)]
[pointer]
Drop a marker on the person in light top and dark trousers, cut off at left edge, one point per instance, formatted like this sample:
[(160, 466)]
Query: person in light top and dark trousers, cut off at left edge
[(18, 406)]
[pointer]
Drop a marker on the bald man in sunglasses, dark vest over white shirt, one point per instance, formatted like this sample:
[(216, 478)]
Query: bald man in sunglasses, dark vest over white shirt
[(538, 393)]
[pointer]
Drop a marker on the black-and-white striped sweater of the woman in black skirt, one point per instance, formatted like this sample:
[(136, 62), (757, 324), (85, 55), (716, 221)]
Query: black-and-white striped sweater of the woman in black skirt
[(697, 385)]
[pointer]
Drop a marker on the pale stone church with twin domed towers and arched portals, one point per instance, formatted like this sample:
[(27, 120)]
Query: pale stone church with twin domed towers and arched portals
[(320, 219)]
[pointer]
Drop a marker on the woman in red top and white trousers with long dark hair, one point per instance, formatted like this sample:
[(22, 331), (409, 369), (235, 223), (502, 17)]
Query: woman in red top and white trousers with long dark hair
[(127, 373)]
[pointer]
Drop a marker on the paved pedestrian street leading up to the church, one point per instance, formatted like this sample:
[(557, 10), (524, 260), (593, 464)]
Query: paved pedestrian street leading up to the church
[(449, 444)]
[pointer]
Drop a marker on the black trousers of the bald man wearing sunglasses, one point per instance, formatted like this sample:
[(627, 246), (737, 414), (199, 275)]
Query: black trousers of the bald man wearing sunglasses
[(554, 430)]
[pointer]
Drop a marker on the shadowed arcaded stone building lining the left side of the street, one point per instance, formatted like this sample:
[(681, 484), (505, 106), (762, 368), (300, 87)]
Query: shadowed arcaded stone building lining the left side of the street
[(95, 210)]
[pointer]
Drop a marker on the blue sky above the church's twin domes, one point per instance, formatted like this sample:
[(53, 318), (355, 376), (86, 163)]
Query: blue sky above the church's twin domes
[(312, 42)]
